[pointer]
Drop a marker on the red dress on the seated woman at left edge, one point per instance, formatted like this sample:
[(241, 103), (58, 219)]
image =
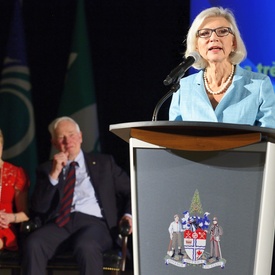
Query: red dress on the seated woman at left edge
[(11, 177)]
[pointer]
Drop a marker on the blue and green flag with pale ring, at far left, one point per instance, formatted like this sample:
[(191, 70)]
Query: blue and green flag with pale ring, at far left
[(16, 110)]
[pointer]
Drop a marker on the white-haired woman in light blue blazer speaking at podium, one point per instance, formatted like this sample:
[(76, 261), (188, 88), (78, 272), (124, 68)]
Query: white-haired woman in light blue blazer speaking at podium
[(221, 91)]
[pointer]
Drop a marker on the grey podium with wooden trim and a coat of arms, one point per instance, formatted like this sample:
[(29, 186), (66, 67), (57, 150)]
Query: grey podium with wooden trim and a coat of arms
[(200, 171)]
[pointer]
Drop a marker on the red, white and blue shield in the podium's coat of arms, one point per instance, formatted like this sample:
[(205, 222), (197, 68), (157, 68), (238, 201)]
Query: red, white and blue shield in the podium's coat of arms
[(194, 243)]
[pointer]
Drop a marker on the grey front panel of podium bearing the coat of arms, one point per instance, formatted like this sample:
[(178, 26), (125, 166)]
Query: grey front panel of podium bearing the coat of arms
[(196, 186)]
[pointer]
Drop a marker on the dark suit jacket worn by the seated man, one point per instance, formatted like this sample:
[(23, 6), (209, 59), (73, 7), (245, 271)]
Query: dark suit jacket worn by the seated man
[(111, 184)]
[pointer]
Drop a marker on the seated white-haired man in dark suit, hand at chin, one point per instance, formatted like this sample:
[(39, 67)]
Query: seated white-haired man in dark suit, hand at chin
[(77, 195)]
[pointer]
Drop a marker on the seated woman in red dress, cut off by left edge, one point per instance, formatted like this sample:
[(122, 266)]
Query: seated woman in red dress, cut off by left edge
[(14, 185)]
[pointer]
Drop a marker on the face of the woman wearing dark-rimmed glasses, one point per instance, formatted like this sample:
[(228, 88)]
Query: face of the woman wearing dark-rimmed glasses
[(215, 49)]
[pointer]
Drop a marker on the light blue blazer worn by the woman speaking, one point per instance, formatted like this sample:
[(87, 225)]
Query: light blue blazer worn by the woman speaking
[(249, 100)]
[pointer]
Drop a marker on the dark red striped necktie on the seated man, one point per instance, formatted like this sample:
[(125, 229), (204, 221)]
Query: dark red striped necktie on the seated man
[(66, 202)]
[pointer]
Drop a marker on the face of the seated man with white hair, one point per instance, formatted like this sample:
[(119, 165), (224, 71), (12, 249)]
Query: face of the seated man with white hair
[(67, 138)]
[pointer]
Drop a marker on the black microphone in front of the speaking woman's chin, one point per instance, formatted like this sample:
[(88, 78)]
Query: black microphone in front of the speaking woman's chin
[(180, 70)]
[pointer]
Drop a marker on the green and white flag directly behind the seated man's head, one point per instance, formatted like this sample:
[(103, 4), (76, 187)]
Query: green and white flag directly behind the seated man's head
[(78, 100)]
